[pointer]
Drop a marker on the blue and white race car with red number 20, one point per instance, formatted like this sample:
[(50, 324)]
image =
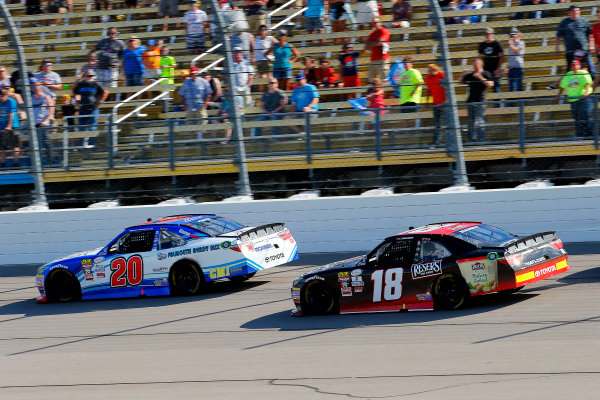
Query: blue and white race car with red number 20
[(171, 255)]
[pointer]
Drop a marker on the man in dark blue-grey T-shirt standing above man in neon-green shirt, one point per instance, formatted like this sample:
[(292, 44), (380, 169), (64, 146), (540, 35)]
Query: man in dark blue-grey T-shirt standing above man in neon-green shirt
[(575, 30)]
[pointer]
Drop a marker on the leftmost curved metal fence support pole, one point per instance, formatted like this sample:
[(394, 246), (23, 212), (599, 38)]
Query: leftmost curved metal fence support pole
[(36, 165)]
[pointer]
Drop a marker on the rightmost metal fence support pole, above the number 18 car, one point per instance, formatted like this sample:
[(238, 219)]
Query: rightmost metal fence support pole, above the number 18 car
[(460, 171)]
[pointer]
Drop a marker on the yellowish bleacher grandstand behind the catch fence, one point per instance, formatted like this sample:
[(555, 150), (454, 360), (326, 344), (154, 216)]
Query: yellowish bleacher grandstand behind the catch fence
[(527, 132)]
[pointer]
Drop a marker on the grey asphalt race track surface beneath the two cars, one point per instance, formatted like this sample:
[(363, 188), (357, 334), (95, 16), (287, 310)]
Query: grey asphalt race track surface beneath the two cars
[(240, 342)]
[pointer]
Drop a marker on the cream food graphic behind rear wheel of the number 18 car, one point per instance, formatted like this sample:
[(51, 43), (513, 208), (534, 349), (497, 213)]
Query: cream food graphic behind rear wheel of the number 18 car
[(481, 273)]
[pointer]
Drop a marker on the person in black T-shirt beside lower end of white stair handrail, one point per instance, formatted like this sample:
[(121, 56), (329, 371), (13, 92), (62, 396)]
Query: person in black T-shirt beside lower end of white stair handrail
[(89, 94)]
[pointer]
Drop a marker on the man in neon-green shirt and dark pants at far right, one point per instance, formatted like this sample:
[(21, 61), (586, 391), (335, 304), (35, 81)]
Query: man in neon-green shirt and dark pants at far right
[(578, 85)]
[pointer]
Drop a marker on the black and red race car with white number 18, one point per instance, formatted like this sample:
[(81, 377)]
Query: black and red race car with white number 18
[(438, 266)]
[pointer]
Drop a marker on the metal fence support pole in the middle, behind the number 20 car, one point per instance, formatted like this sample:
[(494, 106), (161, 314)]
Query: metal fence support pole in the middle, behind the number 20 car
[(238, 133)]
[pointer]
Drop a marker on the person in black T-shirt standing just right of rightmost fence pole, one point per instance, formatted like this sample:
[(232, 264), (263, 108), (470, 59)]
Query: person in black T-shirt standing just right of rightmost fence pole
[(478, 81)]
